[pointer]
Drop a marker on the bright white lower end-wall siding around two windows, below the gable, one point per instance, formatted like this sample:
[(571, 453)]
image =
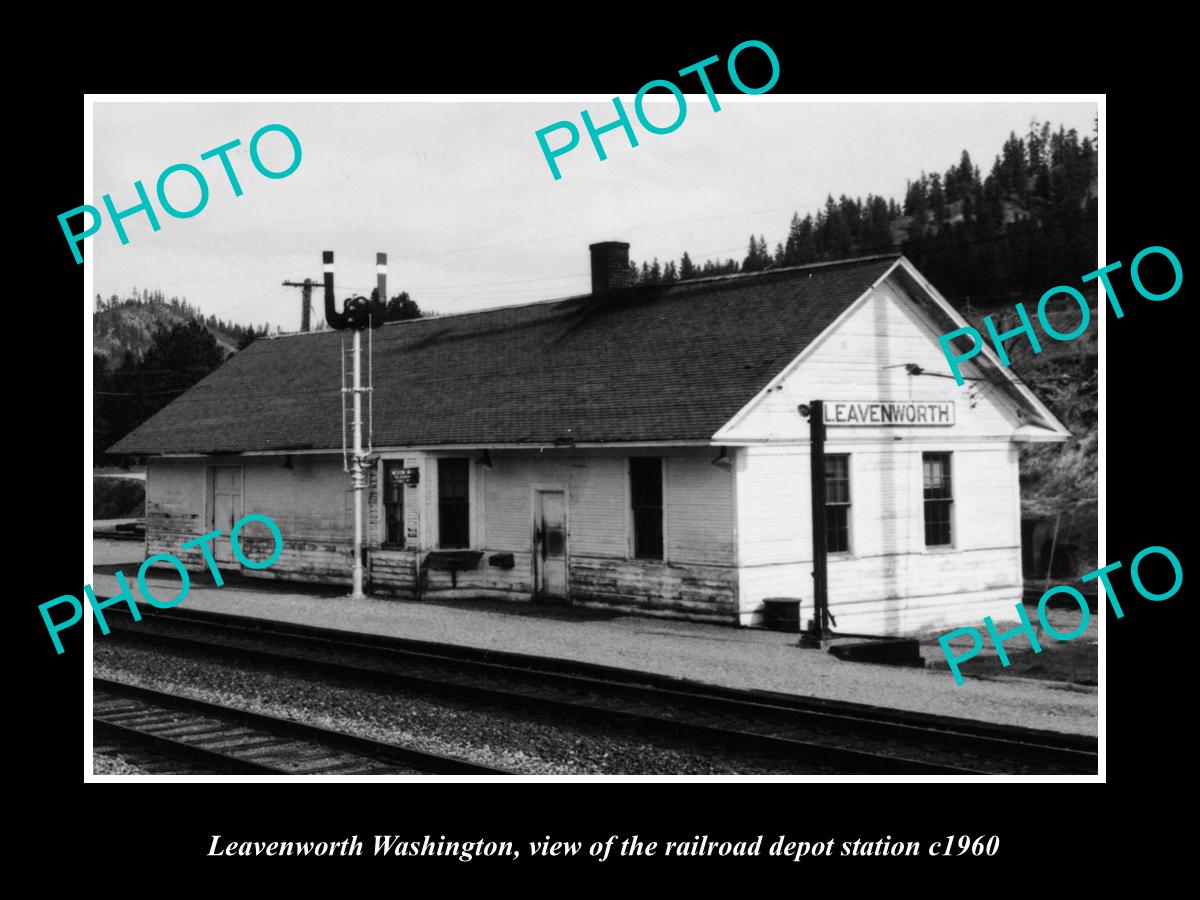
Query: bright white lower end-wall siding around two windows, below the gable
[(890, 581)]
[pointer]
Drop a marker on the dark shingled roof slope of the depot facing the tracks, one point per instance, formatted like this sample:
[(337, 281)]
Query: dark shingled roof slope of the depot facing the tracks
[(655, 364)]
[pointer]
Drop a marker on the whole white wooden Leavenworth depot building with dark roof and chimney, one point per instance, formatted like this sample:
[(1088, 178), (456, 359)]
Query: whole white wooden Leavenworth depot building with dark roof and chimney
[(644, 449)]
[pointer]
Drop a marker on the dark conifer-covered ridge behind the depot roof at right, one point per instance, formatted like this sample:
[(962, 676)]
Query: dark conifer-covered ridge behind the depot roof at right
[(1030, 224)]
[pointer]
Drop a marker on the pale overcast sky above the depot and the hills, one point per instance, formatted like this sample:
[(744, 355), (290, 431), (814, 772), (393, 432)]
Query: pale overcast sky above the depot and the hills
[(461, 200)]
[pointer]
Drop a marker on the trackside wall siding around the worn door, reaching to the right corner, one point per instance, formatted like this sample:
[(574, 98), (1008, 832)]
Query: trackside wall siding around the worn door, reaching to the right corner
[(698, 579)]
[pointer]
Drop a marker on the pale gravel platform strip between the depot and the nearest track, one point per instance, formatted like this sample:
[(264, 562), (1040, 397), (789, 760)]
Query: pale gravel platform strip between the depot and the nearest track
[(716, 655)]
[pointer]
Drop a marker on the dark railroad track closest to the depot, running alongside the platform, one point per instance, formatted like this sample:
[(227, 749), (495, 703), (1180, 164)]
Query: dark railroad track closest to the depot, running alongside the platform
[(851, 737)]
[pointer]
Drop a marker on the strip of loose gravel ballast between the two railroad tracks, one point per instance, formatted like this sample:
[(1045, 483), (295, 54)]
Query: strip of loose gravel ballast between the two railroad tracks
[(497, 737)]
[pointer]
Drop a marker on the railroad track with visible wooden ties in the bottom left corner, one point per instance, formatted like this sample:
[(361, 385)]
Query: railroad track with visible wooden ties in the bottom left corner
[(226, 740)]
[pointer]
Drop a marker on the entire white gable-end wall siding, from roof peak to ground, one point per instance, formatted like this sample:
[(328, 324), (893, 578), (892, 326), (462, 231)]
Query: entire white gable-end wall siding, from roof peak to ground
[(890, 581)]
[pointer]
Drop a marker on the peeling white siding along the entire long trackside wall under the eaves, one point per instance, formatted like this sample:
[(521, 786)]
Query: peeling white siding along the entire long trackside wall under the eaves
[(313, 506)]
